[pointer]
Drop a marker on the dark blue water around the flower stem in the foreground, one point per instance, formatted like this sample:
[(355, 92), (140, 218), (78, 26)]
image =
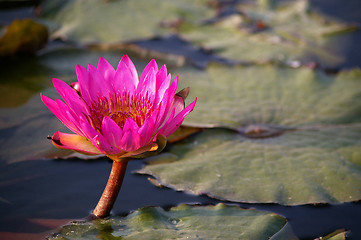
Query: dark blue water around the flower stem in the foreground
[(69, 189)]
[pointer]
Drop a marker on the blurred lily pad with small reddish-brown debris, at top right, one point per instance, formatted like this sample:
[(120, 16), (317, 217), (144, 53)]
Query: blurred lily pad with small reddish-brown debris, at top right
[(261, 32)]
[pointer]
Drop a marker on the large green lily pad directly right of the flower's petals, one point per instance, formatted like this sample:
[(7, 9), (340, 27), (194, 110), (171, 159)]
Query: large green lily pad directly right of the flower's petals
[(236, 97)]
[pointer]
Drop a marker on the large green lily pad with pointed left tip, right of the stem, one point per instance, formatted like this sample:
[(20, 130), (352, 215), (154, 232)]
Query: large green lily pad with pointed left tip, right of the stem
[(299, 167)]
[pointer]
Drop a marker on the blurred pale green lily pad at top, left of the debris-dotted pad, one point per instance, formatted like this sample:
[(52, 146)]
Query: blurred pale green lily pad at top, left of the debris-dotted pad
[(94, 21)]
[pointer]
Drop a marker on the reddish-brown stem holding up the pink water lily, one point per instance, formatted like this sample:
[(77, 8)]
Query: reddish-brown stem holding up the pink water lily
[(111, 190)]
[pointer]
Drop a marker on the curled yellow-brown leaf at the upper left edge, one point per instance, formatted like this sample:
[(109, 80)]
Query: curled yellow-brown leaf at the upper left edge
[(23, 37)]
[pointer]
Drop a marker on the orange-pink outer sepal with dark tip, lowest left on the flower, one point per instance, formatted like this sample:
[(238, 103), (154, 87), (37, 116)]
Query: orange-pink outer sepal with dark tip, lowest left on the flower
[(74, 142)]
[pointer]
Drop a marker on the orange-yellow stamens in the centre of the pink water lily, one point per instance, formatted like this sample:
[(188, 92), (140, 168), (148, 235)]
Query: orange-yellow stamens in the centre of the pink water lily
[(119, 107)]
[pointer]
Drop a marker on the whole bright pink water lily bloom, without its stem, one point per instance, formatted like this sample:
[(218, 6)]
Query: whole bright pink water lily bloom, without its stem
[(116, 113)]
